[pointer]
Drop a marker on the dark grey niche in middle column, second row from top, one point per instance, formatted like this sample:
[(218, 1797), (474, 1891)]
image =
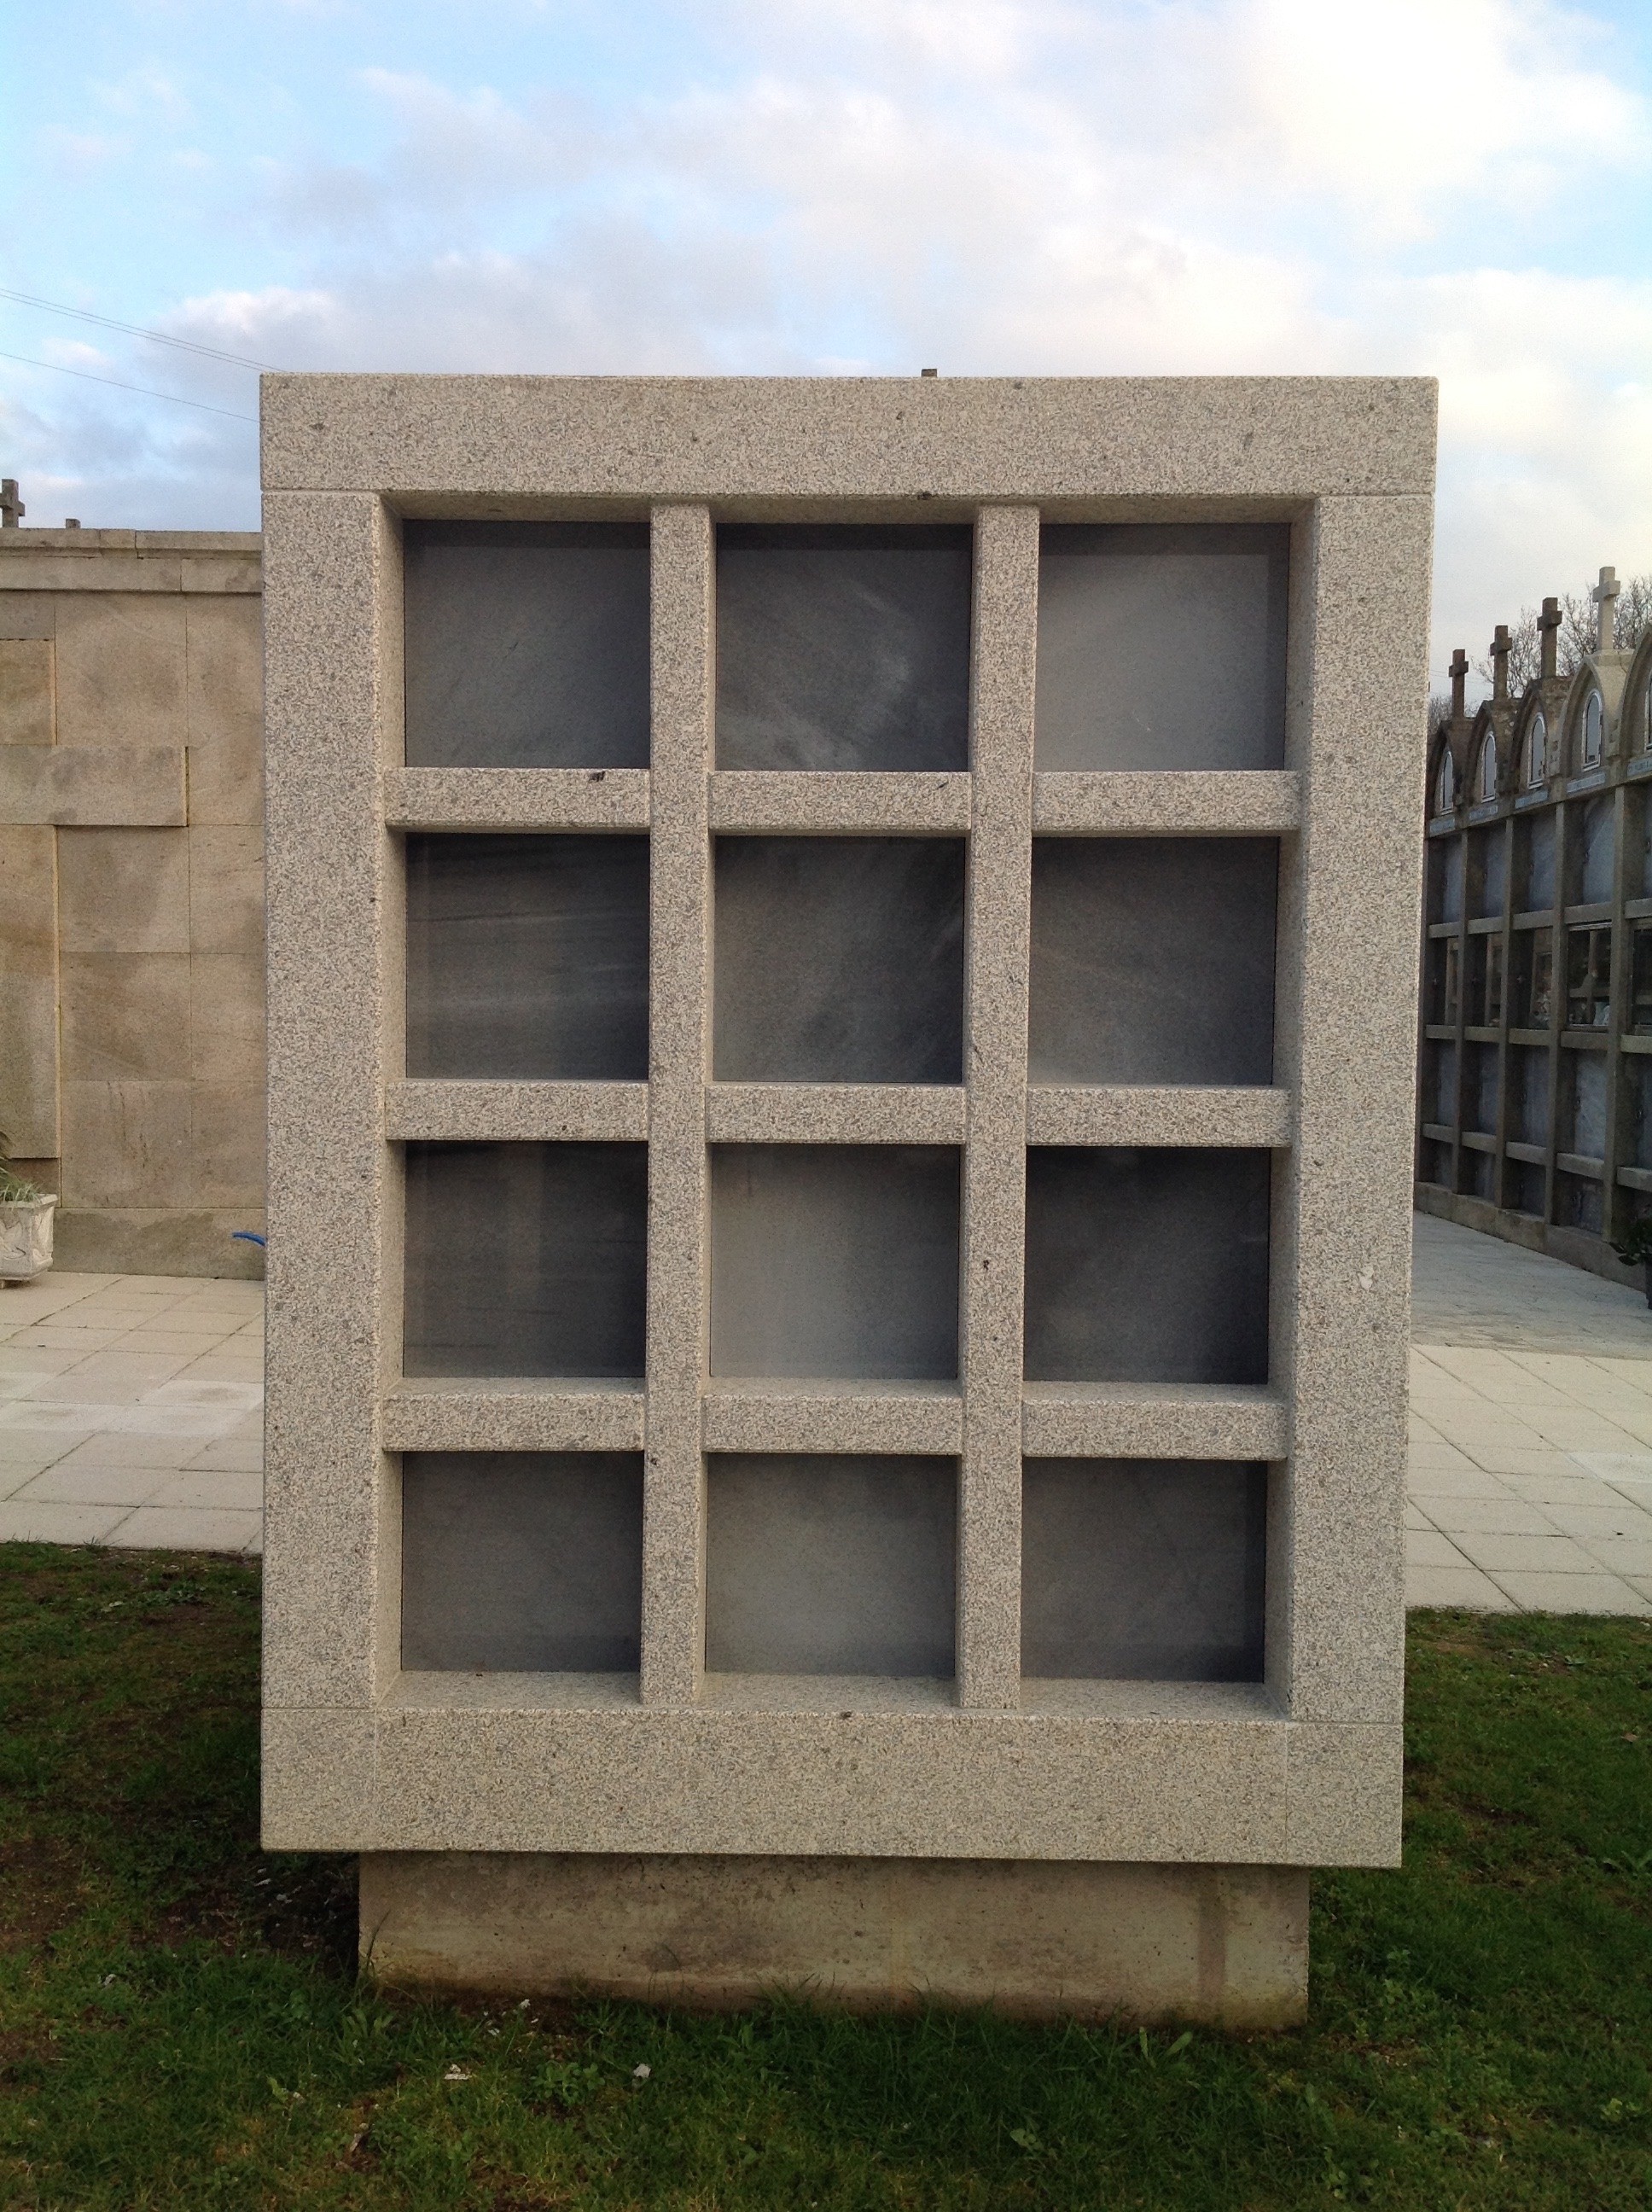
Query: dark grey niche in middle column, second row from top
[(839, 961)]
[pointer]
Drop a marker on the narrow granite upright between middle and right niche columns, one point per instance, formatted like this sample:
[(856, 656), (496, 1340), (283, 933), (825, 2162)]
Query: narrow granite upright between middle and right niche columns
[(994, 1231)]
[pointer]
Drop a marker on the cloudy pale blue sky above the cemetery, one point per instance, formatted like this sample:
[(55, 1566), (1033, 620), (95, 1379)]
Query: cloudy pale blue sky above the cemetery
[(996, 187)]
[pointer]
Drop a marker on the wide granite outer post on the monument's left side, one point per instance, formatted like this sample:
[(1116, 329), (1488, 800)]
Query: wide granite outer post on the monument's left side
[(333, 716)]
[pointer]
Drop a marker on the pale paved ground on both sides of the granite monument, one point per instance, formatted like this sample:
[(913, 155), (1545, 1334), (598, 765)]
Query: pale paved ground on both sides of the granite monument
[(132, 1415)]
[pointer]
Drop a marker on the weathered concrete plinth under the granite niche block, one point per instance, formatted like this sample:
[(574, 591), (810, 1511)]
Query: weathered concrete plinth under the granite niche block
[(1142, 1943)]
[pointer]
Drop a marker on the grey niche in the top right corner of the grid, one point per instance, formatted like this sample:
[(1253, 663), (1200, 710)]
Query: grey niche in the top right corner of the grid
[(1162, 647)]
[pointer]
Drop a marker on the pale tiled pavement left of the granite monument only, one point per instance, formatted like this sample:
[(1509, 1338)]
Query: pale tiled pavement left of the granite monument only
[(132, 1412)]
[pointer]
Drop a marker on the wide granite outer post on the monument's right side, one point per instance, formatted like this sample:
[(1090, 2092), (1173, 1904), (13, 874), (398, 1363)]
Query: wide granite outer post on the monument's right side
[(1341, 1262)]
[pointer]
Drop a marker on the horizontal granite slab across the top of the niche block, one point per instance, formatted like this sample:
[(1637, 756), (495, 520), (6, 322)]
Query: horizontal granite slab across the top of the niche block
[(512, 446)]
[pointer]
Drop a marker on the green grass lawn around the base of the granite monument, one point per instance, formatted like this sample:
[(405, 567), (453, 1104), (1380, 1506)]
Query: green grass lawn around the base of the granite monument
[(180, 2023)]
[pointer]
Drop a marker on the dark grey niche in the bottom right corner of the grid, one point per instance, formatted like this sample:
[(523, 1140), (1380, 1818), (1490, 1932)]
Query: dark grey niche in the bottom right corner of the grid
[(1144, 1569)]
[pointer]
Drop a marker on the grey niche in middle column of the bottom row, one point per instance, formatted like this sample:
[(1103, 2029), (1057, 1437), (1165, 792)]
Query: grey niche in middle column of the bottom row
[(822, 1565)]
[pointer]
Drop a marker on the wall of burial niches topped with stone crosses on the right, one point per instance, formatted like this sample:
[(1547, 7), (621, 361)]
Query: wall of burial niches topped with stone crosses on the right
[(1536, 1021)]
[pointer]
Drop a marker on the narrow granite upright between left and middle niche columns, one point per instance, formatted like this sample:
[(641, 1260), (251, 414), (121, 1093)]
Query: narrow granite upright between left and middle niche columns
[(680, 981)]
